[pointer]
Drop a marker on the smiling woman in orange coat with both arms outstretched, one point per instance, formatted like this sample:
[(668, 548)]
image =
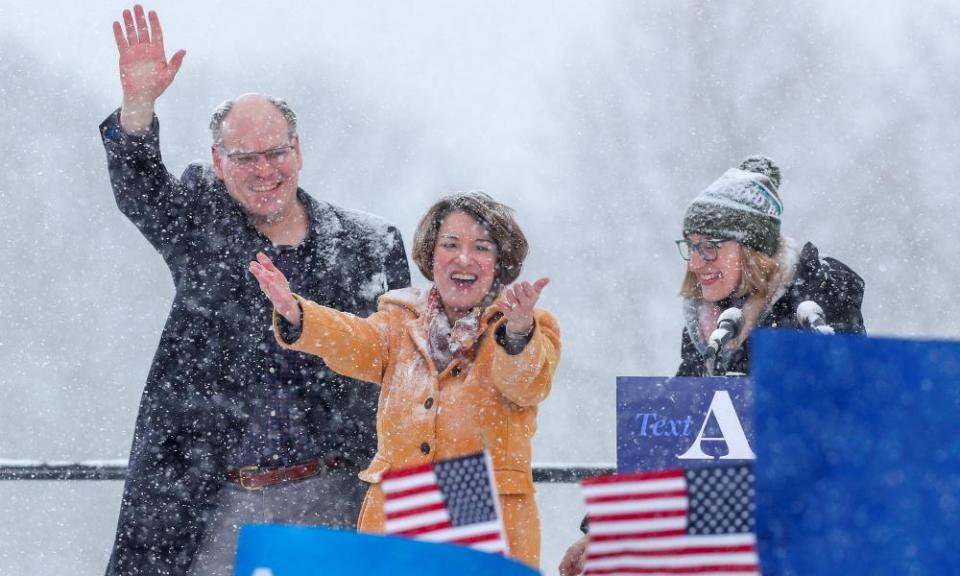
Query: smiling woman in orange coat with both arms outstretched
[(462, 365)]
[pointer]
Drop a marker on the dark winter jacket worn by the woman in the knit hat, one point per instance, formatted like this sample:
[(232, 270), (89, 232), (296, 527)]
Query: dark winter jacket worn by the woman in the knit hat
[(828, 282)]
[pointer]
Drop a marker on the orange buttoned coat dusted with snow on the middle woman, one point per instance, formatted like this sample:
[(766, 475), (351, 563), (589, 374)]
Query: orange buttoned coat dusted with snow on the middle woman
[(424, 415)]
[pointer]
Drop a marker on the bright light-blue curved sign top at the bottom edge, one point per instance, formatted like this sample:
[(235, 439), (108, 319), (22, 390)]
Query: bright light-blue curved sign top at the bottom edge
[(272, 550)]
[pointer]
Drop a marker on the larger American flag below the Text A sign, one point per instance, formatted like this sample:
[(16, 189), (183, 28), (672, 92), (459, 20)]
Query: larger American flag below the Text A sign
[(673, 522)]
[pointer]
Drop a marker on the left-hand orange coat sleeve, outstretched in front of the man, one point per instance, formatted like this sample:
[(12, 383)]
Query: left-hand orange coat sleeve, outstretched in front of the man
[(352, 346)]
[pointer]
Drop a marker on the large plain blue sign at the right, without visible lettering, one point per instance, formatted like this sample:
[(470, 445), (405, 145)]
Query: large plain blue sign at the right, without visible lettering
[(858, 456)]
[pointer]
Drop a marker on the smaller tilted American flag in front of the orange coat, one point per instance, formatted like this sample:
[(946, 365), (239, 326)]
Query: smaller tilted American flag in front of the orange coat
[(452, 501)]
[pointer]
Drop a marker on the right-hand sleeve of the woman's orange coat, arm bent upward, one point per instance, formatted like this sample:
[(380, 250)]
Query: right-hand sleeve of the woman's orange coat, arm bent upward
[(525, 378)]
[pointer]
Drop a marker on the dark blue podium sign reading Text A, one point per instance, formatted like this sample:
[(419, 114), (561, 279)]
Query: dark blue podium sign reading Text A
[(665, 423)]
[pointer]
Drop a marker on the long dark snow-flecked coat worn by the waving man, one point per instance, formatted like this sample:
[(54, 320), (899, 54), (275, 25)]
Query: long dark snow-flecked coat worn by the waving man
[(211, 354)]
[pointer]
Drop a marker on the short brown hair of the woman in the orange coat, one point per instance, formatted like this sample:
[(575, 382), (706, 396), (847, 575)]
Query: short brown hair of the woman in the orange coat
[(498, 220)]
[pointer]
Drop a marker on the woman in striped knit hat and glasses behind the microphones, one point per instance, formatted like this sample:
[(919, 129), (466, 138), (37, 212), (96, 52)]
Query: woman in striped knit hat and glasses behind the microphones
[(738, 259)]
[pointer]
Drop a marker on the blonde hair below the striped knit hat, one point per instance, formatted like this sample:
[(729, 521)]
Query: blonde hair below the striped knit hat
[(759, 278)]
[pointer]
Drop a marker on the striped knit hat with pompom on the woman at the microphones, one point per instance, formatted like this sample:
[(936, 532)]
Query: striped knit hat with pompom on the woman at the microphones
[(741, 205)]
